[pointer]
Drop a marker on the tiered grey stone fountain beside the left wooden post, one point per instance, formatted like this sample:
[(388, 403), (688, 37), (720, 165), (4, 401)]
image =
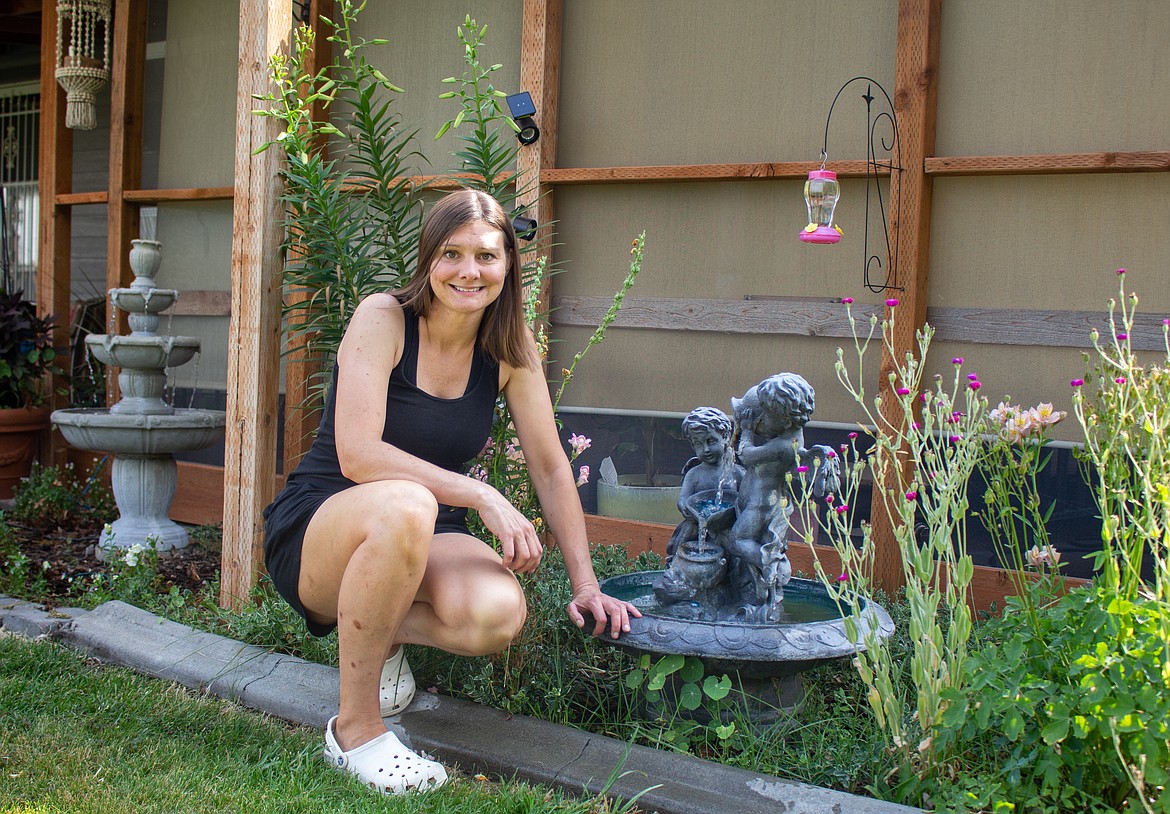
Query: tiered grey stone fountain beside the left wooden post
[(142, 431)]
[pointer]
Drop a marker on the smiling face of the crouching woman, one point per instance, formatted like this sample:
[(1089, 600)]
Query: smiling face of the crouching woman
[(469, 274)]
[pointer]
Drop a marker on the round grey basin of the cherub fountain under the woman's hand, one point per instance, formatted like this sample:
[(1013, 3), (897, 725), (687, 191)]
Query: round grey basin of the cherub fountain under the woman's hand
[(813, 632)]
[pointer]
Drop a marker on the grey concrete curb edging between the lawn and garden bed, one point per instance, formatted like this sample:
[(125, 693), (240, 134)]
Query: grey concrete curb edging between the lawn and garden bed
[(477, 739)]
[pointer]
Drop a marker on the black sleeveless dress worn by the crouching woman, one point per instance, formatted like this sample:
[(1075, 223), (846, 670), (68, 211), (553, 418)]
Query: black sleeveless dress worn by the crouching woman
[(448, 433)]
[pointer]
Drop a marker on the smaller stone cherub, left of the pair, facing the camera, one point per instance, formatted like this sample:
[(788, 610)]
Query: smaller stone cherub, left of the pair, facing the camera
[(713, 470)]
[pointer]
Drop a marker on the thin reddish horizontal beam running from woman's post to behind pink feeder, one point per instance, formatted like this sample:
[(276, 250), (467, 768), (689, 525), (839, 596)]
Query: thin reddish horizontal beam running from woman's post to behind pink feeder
[(699, 173)]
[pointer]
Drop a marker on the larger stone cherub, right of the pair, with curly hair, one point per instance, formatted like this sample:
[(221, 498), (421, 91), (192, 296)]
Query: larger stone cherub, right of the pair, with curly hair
[(770, 420)]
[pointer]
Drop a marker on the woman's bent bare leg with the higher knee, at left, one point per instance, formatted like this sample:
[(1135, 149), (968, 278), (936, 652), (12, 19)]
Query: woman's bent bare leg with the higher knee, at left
[(364, 557)]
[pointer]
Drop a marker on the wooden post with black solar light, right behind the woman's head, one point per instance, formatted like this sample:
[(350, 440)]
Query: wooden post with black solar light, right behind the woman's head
[(540, 74)]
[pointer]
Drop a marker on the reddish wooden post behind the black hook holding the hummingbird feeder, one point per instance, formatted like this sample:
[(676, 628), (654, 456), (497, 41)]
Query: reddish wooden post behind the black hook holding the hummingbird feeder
[(916, 104)]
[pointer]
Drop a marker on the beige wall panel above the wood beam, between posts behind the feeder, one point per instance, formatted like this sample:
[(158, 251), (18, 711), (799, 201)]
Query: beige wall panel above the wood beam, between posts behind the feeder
[(699, 82)]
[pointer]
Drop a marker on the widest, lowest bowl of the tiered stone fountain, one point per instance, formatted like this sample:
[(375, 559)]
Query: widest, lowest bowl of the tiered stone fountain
[(181, 432)]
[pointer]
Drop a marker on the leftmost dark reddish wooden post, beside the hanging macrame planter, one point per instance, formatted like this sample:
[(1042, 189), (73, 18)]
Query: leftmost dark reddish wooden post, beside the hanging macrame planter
[(54, 178)]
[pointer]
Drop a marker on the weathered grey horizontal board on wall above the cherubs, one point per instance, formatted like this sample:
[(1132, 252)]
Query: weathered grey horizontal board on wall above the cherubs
[(828, 319)]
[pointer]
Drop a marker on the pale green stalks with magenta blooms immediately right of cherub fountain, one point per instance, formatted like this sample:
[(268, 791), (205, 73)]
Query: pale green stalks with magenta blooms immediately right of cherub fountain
[(921, 463)]
